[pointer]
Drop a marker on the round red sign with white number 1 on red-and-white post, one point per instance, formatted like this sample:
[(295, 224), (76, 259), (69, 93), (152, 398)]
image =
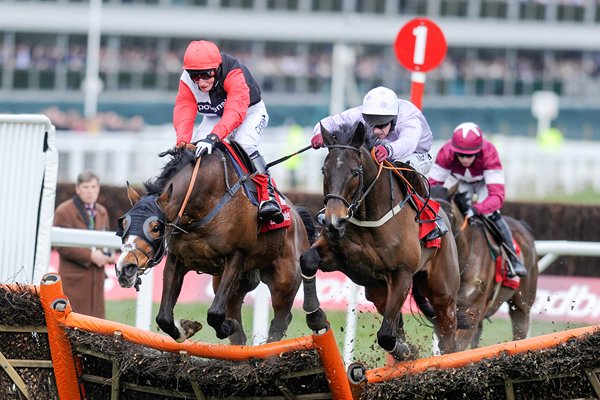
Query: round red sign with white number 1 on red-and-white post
[(420, 47)]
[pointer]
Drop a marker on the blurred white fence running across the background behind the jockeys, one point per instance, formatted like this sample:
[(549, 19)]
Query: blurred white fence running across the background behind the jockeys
[(531, 171)]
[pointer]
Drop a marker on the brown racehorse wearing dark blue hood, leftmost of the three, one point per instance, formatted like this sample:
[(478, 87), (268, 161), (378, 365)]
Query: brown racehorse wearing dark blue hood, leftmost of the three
[(218, 234)]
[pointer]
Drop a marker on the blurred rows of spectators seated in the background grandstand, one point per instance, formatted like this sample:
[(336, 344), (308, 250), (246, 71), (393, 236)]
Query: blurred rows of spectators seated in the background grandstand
[(569, 73)]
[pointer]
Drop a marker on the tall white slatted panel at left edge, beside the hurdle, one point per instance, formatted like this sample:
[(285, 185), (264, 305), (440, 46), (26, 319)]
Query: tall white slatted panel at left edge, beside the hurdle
[(29, 166)]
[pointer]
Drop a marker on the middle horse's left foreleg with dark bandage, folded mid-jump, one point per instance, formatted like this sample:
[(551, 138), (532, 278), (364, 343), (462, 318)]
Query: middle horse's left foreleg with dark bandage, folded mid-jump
[(315, 316)]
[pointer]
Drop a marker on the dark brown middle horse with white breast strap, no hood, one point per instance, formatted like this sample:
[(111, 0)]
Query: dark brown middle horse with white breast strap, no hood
[(384, 255)]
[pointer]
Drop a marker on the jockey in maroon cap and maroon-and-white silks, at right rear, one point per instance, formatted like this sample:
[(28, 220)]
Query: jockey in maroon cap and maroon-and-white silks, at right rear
[(473, 162)]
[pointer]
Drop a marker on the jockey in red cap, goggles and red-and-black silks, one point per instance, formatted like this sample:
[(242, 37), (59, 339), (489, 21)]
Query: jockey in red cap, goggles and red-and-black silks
[(222, 89)]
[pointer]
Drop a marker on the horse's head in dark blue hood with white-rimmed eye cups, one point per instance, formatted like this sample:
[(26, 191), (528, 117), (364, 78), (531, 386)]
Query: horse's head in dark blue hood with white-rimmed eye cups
[(142, 235)]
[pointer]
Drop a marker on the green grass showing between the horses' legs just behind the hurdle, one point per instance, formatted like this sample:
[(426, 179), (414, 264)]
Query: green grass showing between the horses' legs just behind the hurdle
[(366, 349)]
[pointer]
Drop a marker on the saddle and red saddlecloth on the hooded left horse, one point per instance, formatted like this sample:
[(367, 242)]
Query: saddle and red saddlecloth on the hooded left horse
[(255, 187)]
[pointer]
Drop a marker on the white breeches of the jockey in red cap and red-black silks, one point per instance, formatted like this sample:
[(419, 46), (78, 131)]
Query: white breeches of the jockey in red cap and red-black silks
[(247, 134)]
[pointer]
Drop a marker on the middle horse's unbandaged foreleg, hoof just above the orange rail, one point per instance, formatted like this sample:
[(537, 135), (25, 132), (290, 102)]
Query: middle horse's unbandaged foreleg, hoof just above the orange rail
[(391, 335)]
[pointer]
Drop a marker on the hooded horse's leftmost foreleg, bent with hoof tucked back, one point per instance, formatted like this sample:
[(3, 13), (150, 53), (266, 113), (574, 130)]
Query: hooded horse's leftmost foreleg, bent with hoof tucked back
[(173, 275)]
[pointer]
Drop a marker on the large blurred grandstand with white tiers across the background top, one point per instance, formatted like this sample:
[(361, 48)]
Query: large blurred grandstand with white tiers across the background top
[(500, 52)]
